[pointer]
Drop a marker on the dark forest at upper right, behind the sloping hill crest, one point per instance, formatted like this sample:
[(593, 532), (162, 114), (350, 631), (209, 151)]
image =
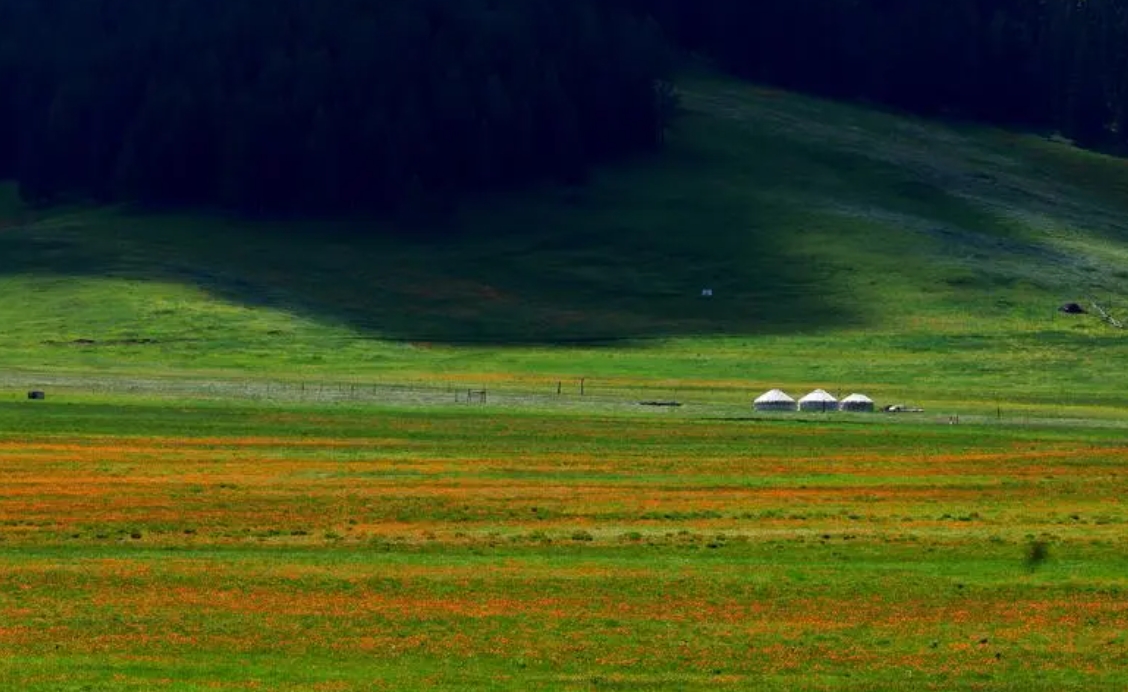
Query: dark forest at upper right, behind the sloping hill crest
[(1055, 65)]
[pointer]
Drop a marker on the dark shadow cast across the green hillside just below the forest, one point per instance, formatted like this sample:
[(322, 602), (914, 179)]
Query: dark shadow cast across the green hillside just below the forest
[(625, 260)]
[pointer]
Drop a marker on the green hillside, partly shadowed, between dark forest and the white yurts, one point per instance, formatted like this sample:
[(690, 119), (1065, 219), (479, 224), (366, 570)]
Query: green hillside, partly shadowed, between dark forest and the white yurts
[(848, 249)]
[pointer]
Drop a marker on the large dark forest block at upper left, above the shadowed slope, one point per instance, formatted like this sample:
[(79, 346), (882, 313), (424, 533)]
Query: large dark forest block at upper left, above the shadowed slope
[(278, 106)]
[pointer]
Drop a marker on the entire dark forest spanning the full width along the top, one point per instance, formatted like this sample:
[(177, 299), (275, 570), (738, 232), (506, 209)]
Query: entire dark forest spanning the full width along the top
[(283, 106)]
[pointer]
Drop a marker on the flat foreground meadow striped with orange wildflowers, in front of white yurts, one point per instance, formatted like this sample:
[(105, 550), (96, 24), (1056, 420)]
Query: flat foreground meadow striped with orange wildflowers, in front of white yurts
[(211, 548)]
